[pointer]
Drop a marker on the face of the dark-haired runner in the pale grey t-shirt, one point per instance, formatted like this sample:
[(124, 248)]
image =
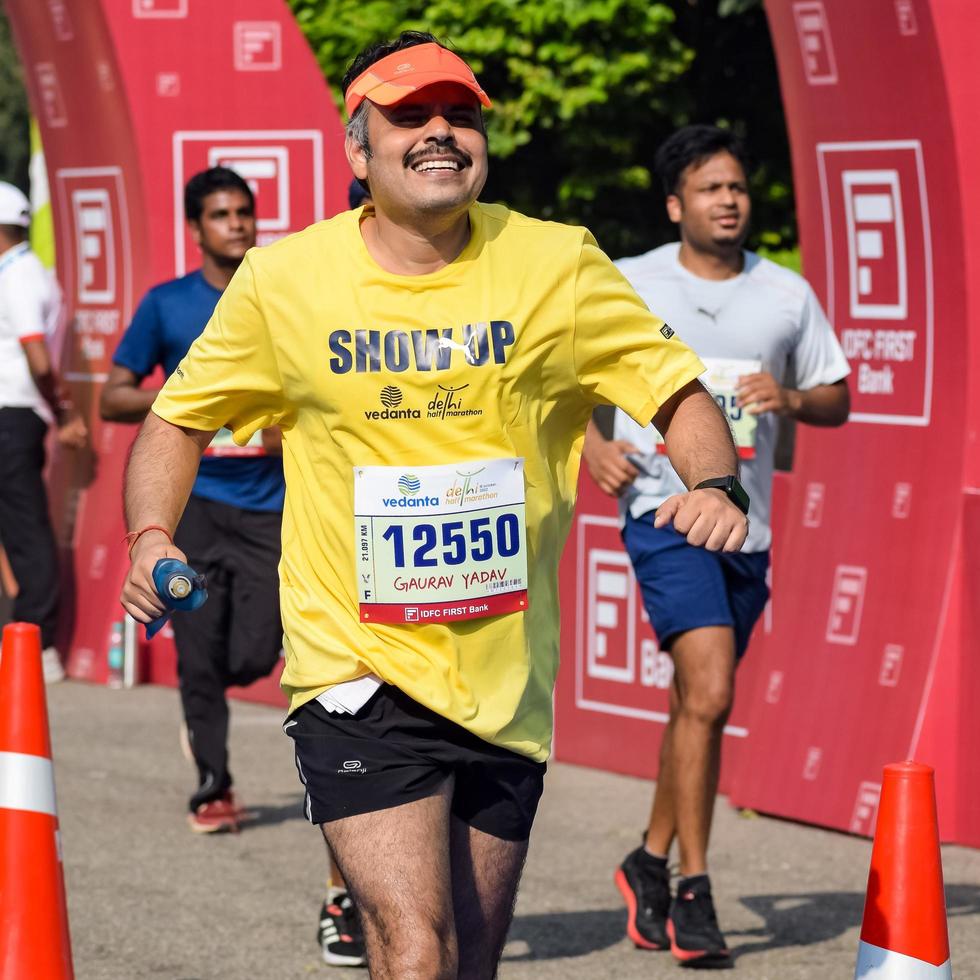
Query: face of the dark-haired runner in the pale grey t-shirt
[(712, 204)]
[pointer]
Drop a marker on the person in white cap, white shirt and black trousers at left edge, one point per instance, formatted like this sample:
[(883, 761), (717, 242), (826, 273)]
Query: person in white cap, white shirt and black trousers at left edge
[(30, 399)]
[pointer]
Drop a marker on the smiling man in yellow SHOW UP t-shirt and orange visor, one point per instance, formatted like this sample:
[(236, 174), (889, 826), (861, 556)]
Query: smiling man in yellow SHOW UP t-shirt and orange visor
[(433, 363)]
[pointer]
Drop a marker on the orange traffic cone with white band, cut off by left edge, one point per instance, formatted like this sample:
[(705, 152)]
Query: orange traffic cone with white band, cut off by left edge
[(34, 941)]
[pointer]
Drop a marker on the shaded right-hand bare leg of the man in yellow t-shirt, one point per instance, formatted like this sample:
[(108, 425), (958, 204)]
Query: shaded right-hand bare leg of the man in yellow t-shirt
[(485, 873)]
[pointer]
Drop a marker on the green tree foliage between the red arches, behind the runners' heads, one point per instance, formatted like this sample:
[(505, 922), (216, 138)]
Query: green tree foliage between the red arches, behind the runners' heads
[(585, 90)]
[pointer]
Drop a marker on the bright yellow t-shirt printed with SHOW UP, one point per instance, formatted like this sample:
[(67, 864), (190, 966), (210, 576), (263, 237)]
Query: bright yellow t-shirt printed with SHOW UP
[(312, 335)]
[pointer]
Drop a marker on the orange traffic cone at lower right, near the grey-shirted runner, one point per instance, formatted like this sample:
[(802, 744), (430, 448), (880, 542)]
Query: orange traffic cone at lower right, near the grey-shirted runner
[(904, 935)]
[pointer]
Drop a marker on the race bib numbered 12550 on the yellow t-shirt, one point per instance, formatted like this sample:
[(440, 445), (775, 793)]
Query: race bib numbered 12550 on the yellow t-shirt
[(440, 543)]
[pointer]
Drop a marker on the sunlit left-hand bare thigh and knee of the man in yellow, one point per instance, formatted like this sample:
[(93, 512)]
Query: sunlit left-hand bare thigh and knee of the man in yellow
[(397, 867)]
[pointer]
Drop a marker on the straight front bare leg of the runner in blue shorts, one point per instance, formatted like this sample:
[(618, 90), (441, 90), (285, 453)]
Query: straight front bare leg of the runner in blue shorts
[(704, 674)]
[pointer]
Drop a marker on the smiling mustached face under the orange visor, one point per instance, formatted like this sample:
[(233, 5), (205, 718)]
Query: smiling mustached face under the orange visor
[(426, 156)]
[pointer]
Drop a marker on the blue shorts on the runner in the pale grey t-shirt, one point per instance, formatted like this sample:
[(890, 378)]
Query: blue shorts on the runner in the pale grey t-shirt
[(685, 588)]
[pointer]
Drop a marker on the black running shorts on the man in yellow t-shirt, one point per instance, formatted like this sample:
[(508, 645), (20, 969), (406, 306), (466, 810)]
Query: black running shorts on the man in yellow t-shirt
[(394, 751)]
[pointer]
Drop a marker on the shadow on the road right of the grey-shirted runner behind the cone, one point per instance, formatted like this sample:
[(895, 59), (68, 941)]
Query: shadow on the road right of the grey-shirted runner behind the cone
[(815, 917)]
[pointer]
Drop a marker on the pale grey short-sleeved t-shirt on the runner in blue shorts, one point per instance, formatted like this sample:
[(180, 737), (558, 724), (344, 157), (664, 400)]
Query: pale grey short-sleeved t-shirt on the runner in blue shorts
[(766, 314)]
